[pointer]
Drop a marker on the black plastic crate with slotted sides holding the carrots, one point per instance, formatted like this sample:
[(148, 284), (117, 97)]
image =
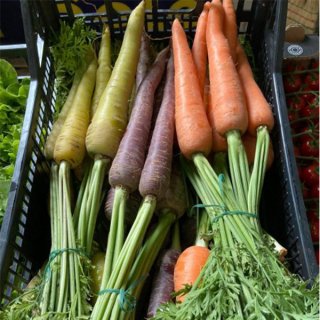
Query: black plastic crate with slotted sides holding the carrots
[(25, 233)]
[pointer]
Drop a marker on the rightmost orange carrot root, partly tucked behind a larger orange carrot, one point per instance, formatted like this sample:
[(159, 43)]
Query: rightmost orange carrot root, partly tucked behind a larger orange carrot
[(259, 111)]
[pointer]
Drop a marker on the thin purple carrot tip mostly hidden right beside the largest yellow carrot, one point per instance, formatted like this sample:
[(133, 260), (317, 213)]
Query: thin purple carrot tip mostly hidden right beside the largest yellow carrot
[(144, 60)]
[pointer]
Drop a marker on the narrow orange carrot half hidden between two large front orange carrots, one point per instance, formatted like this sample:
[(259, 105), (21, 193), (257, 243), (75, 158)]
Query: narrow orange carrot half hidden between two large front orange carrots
[(199, 47)]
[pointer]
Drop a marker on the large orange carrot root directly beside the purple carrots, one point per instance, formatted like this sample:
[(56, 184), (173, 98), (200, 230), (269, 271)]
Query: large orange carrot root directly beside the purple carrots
[(193, 129)]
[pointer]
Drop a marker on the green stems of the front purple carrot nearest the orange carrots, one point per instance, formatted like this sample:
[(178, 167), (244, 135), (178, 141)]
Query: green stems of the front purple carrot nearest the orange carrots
[(105, 302)]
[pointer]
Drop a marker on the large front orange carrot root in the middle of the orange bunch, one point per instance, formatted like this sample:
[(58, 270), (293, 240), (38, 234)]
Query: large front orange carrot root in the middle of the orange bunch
[(228, 104)]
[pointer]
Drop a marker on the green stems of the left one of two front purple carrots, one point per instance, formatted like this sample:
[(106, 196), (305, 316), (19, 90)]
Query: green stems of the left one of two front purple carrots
[(120, 196)]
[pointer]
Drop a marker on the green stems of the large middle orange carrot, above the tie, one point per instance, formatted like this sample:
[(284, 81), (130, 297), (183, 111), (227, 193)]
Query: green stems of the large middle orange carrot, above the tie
[(239, 168)]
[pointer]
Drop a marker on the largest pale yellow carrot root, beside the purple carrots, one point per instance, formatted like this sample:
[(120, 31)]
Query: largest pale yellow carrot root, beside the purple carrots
[(111, 117)]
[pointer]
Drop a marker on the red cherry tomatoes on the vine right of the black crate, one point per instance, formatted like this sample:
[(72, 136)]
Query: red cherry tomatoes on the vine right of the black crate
[(301, 84)]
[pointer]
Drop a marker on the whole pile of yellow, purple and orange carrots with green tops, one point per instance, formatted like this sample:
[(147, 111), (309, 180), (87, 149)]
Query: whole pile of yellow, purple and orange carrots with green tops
[(144, 136)]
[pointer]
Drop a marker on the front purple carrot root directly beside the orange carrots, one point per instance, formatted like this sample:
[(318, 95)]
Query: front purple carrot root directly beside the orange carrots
[(155, 176)]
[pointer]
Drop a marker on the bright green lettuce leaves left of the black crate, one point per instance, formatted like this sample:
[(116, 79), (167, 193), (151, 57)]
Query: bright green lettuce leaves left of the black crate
[(13, 96)]
